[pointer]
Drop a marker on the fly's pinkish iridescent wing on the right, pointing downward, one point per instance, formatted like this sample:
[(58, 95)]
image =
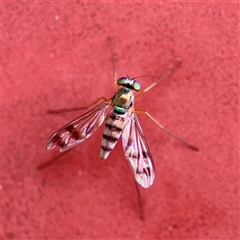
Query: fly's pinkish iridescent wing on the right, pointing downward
[(137, 151)]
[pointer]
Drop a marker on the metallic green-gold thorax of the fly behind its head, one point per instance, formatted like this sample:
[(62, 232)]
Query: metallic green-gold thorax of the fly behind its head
[(123, 100)]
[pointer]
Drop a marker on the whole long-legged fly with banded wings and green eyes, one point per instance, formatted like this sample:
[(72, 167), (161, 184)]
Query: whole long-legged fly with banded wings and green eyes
[(121, 120)]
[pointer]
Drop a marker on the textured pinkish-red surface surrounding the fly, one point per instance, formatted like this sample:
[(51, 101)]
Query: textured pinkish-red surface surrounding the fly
[(56, 55)]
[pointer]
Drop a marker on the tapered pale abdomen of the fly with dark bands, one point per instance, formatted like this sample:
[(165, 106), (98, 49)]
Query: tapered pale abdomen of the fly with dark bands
[(112, 132)]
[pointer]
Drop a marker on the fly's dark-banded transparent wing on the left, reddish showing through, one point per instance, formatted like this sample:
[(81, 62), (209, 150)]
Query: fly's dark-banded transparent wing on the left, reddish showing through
[(79, 129)]
